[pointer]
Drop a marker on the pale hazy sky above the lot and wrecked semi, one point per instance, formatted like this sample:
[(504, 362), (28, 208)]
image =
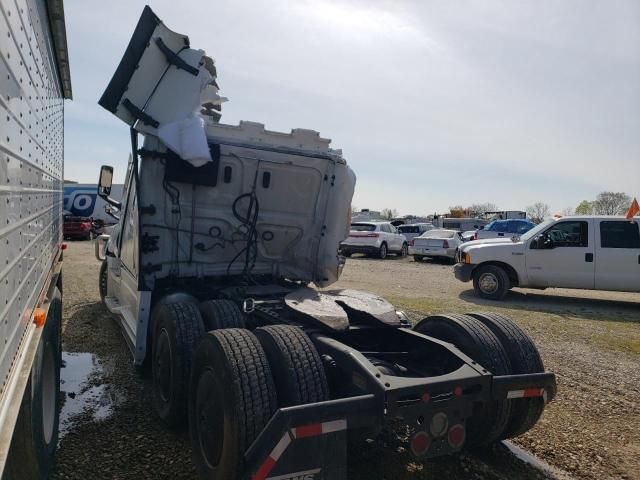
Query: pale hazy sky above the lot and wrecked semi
[(433, 103)]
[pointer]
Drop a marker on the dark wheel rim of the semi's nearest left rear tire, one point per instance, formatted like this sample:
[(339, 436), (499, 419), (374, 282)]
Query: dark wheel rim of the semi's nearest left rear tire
[(210, 420)]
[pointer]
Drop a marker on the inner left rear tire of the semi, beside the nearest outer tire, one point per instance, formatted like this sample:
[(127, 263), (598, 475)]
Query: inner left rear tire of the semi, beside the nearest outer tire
[(296, 365)]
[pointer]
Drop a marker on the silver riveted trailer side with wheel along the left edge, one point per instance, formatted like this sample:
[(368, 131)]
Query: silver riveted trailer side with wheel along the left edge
[(34, 82)]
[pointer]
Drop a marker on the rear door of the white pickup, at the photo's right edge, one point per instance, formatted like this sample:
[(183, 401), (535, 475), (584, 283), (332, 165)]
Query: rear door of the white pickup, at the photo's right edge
[(618, 255)]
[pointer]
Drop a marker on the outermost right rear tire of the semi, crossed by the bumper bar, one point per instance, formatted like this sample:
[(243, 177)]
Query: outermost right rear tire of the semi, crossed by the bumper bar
[(524, 358)]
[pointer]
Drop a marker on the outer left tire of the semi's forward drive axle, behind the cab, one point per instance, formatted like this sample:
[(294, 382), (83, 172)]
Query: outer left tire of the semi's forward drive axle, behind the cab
[(176, 329)]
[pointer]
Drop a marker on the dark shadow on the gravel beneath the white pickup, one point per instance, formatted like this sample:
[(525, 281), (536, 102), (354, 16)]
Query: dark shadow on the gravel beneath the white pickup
[(585, 308)]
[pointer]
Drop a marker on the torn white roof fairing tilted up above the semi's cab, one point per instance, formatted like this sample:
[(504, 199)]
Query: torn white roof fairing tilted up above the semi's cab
[(162, 87)]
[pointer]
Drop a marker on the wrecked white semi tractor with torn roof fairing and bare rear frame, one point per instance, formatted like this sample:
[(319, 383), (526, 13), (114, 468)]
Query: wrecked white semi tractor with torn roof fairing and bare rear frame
[(222, 230)]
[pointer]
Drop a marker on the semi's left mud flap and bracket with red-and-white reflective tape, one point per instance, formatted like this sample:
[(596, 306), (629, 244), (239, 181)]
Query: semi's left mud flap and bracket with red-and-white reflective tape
[(309, 442)]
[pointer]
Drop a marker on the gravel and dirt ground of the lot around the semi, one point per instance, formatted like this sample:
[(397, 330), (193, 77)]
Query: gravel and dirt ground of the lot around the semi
[(591, 340)]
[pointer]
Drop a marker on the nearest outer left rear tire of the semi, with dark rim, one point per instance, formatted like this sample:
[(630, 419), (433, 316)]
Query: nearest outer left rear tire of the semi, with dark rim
[(232, 396)]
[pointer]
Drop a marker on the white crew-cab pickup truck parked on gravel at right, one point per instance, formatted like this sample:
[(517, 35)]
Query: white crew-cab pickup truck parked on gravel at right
[(586, 252)]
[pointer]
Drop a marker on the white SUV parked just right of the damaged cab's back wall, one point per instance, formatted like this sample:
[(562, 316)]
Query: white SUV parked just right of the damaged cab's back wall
[(374, 238)]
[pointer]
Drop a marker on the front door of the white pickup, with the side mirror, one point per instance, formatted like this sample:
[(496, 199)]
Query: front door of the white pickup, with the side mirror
[(568, 262)]
